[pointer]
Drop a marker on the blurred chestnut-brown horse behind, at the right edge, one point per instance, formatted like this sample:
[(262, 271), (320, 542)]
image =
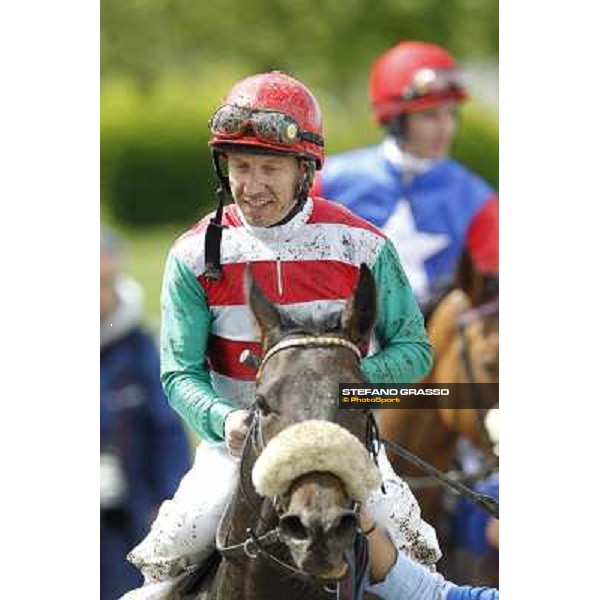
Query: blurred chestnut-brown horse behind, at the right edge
[(463, 329)]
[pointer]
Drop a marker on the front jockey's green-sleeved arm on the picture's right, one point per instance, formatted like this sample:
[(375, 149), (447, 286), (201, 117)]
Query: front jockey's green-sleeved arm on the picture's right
[(406, 352)]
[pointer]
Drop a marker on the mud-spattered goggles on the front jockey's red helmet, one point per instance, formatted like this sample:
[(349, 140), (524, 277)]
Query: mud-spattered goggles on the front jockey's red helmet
[(270, 126)]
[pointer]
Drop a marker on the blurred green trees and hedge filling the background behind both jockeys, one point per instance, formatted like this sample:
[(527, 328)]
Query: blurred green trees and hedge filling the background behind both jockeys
[(166, 64)]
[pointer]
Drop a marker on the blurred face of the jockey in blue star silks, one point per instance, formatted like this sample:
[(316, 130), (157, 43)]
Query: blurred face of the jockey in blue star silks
[(429, 132)]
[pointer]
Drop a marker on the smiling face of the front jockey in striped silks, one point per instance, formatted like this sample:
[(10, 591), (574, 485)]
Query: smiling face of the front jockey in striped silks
[(264, 187)]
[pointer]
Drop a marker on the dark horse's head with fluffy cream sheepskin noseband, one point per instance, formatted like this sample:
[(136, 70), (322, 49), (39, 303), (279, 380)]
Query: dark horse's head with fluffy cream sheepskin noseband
[(311, 463)]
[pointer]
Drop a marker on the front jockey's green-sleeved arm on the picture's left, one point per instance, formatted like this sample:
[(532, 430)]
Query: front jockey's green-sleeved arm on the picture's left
[(184, 338)]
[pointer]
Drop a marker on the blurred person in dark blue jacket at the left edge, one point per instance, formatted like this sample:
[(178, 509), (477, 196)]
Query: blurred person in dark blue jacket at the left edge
[(144, 450)]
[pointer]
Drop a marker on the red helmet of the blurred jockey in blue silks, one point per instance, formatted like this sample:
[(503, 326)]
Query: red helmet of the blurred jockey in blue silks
[(413, 76)]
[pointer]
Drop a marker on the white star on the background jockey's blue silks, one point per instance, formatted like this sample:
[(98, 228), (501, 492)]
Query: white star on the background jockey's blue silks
[(413, 246)]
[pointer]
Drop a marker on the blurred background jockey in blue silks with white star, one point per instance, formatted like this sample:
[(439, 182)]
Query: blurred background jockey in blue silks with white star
[(429, 205)]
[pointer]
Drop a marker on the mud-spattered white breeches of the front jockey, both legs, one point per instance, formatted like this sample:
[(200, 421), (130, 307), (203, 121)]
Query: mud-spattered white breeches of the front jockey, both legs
[(183, 533)]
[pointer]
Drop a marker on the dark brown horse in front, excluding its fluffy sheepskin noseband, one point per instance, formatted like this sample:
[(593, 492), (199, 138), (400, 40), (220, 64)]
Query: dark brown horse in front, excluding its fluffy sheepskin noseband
[(315, 519)]
